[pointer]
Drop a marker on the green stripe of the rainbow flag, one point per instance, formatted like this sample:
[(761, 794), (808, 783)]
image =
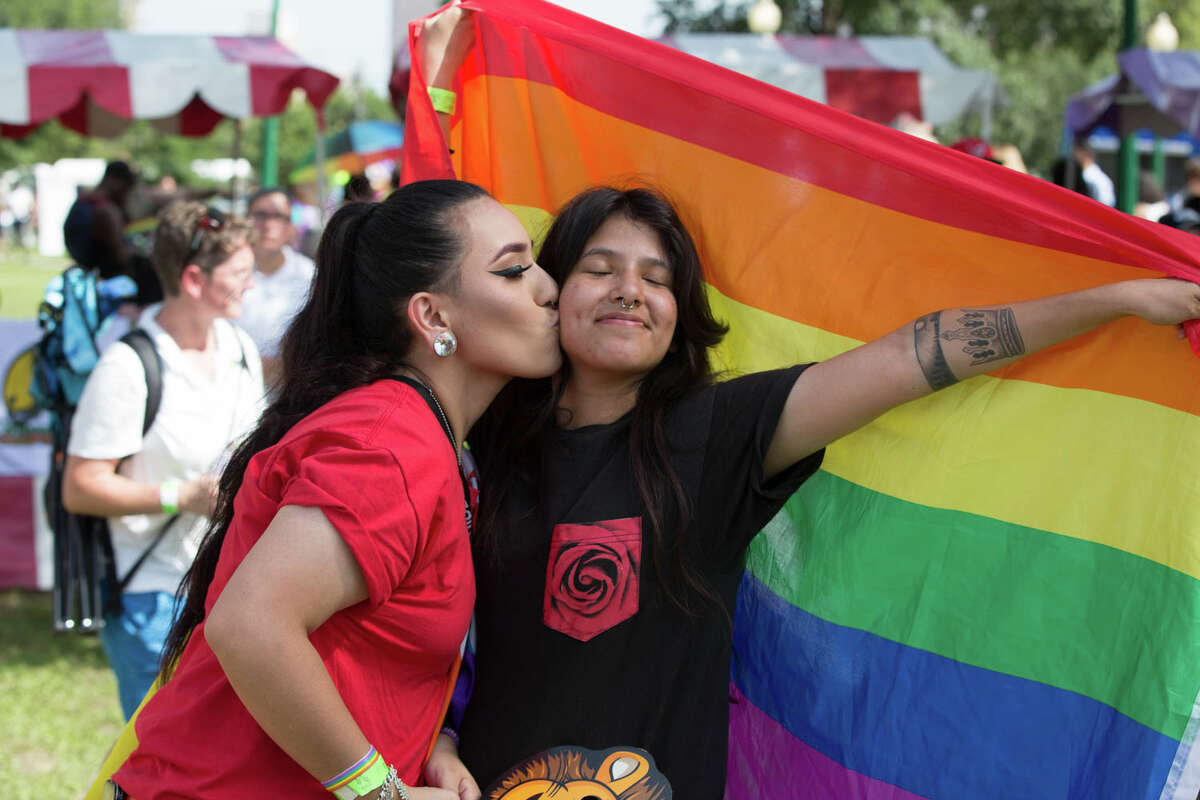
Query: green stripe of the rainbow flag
[(1075, 615)]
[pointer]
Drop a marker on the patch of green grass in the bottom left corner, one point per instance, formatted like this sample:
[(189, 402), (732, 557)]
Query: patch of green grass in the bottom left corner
[(61, 714)]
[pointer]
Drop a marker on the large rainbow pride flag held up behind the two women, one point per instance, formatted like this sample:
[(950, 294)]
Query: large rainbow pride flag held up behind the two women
[(992, 593)]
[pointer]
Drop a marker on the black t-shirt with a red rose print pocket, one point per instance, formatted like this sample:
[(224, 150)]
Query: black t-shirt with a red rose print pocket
[(578, 641)]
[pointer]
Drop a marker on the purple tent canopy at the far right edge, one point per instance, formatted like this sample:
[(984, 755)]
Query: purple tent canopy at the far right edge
[(1154, 91)]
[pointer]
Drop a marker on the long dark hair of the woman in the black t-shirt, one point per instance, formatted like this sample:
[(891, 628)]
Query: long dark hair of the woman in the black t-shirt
[(524, 414)]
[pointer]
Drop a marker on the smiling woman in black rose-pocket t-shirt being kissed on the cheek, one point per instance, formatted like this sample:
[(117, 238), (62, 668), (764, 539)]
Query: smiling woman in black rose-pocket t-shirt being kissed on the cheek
[(620, 497)]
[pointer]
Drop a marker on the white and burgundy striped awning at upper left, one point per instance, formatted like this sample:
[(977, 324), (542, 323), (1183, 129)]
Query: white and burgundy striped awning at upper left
[(98, 82)]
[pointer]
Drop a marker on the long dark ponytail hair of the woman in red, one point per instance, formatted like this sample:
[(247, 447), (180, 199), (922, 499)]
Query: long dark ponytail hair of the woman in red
[(352, 332)]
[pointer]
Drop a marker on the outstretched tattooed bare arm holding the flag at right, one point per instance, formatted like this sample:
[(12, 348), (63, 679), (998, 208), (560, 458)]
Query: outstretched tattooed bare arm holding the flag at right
[(845, 393)]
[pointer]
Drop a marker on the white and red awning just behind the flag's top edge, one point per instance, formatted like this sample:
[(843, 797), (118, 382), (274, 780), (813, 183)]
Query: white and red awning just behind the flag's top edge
[(875, 77)]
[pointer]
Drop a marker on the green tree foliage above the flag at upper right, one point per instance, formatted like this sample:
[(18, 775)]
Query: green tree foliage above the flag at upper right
[(1042, 53)]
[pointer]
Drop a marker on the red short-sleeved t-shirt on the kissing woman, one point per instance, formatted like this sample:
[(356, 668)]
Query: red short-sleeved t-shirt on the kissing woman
[(380, 466)]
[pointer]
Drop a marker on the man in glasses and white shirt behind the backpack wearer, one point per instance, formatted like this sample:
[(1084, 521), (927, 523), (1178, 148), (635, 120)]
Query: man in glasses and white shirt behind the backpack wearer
[(283, 278)]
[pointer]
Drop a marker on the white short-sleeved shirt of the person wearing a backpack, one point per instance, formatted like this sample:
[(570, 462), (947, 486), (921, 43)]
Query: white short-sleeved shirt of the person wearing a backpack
[(194, 434)]
